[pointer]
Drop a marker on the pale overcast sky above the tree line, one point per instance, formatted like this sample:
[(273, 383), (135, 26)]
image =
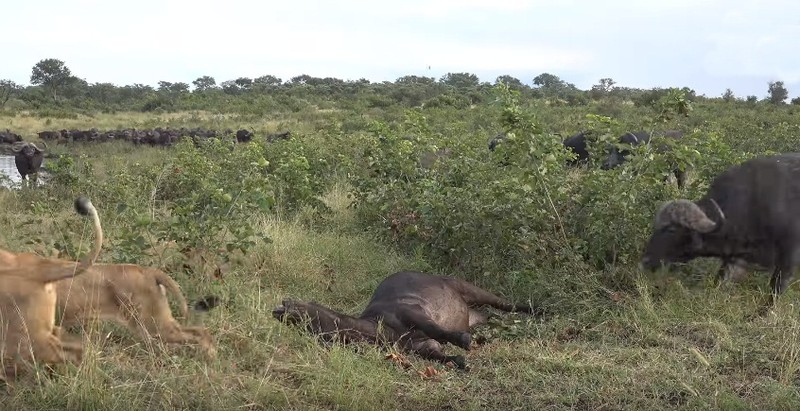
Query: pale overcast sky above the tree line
[(708, 45)]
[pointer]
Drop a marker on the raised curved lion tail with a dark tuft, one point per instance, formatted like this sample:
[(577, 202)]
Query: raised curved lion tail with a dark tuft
[(55, 270)]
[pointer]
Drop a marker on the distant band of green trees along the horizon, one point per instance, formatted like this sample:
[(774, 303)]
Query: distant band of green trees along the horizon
[(52, 84)]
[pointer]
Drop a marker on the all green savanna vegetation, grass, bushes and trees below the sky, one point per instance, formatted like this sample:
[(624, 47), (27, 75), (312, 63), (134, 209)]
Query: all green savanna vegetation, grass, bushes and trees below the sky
[(327, 214)]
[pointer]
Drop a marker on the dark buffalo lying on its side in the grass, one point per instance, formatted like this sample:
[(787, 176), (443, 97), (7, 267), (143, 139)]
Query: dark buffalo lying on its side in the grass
[(418, 311)]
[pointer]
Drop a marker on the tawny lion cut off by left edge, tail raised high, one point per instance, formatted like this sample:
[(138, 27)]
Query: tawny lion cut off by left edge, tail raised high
[(28, 303)]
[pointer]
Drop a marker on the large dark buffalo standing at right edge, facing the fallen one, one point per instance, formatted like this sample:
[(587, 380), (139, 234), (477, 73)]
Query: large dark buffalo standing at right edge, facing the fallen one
[(748, 216)]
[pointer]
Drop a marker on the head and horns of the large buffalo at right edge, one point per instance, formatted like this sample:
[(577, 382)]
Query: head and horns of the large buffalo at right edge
[(678, 234)]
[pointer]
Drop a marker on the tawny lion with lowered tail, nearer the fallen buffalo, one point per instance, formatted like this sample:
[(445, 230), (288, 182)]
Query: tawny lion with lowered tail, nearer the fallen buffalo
[(134, 296)]
